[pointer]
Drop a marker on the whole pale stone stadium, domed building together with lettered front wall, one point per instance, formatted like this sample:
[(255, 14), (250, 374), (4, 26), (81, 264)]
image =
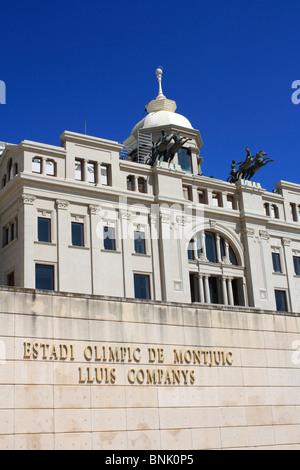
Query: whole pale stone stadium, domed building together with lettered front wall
[(145, 306)]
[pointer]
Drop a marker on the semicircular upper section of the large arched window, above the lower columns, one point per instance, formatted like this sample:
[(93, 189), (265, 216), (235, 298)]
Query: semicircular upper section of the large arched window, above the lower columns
[(212, 247)]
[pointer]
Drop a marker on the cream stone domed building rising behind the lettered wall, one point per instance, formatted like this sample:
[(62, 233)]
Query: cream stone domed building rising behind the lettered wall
[(78, 218)]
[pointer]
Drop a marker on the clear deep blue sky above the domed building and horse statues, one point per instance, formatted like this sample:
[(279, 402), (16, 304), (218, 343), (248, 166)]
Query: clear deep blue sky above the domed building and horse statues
[(229, 65)]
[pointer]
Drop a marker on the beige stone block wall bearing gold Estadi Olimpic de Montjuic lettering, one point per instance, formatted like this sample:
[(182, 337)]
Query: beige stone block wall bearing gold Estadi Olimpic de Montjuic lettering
[(50, 397)]
